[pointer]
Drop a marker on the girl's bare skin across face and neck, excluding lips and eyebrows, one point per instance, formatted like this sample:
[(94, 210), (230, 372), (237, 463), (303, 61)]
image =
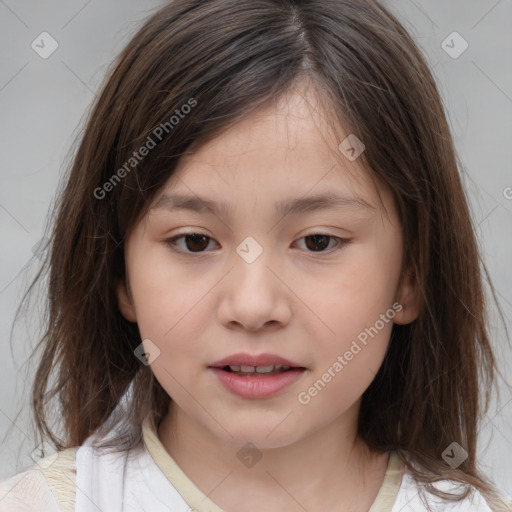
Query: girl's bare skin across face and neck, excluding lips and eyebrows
[(304, 305)]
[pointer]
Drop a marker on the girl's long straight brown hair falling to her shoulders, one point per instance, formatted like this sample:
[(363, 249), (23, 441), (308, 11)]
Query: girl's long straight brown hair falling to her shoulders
[(227, 59)]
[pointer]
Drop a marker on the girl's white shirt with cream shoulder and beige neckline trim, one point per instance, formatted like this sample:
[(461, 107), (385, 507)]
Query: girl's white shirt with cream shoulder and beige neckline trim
[(148, 479)]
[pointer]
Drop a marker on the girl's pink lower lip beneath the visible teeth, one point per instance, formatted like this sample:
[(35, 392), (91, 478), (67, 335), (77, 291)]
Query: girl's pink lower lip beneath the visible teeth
[(260, 386)]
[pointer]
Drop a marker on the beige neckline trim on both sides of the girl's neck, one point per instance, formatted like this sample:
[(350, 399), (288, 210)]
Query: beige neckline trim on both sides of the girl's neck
[(201, 503)]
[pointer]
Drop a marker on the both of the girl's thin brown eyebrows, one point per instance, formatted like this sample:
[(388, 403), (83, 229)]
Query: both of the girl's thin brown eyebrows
[(296, 206)]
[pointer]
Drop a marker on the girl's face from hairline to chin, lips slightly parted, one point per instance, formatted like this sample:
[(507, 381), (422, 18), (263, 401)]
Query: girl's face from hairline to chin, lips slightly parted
[(262, 284)]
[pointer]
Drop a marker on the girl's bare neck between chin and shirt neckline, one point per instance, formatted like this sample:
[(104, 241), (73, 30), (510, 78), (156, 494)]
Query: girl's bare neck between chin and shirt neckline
[(331, 469)]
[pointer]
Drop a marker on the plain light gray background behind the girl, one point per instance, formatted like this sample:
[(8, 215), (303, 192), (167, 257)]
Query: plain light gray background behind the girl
[(43, 101)]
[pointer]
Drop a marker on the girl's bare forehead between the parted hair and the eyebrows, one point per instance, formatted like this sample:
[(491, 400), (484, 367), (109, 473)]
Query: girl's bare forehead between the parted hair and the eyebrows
[(283, 151)]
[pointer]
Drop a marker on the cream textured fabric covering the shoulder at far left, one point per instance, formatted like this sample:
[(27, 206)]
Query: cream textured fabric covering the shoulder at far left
[(48, 486)]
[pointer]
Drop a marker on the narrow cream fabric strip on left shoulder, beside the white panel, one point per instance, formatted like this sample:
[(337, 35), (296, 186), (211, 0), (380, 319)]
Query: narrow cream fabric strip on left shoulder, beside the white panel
[(60, 473)]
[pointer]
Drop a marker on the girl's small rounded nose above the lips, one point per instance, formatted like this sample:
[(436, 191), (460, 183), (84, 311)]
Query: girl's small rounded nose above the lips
[(254, 295)]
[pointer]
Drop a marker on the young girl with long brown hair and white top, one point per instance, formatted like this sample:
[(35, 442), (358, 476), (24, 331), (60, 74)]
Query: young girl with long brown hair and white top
[(264, 284)]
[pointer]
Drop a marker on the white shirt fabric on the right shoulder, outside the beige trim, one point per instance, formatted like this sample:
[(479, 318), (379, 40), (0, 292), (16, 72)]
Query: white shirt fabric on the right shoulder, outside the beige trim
[(409, 498)]
